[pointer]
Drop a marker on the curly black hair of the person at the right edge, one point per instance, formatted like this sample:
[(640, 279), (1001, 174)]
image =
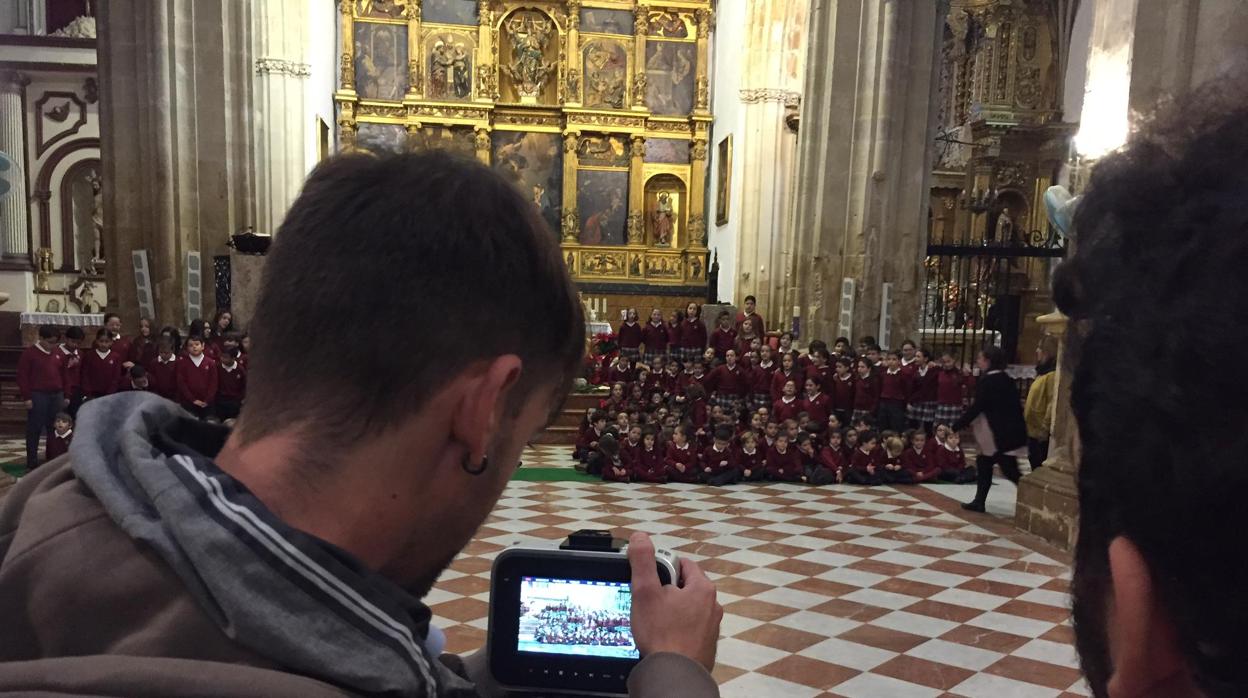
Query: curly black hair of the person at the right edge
[(1158, 294)]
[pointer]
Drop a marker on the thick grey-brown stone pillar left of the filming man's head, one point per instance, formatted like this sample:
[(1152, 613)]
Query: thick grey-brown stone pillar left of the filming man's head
[(177, 81)]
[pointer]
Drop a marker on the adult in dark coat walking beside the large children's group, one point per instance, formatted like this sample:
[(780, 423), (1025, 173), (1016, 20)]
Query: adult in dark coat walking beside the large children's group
[(998, 403)]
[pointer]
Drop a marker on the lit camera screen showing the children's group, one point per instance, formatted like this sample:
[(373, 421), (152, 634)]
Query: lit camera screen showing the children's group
[(582, 617)]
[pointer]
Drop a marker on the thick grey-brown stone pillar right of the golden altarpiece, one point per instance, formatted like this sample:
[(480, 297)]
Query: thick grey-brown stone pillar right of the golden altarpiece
[(865, 153)]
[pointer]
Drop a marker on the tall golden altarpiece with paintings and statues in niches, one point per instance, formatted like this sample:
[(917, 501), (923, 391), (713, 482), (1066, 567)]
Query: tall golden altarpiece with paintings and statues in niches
[(598, 111)]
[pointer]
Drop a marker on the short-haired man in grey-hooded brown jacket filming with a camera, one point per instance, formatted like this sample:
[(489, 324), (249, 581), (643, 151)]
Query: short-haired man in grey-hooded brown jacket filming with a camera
[(288, 558)]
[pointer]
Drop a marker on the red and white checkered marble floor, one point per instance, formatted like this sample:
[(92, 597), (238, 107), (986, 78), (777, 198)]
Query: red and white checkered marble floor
[(842, 591)]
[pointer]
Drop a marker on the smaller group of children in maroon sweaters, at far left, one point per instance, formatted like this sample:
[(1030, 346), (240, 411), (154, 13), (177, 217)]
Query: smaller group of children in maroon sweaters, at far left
[(205, 373)]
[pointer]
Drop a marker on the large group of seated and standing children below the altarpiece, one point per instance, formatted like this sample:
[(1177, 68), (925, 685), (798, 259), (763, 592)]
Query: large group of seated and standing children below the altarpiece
[(739, 410)]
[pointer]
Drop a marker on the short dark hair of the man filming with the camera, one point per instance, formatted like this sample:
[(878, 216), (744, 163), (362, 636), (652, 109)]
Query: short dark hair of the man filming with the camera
[(371, 239)]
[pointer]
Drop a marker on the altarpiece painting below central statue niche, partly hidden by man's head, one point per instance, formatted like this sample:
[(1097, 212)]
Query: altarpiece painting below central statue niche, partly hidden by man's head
[(535, 164)]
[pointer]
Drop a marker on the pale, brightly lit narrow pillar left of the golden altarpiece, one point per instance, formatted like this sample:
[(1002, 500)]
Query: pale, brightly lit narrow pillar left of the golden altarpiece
[(280, 117)]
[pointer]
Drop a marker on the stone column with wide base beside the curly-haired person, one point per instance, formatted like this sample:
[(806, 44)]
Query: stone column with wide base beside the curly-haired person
[(1049, 501)]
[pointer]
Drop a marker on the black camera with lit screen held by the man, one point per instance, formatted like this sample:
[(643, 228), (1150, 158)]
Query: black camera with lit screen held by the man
[(561, 617)]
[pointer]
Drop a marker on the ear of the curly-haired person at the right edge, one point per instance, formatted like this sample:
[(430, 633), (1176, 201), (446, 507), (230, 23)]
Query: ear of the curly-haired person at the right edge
[(1143, 646)]
